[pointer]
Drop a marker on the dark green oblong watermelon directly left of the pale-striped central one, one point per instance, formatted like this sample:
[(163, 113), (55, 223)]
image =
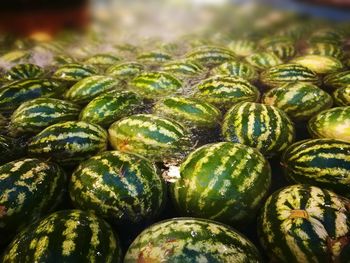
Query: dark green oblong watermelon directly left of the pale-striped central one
[(69, 142)]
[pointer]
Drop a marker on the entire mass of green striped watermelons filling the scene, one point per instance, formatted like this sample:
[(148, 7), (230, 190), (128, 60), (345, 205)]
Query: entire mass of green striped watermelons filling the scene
[(230, 144)]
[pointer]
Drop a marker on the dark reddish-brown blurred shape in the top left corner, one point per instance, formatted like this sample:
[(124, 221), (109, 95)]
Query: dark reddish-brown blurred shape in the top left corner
[(42, 18)]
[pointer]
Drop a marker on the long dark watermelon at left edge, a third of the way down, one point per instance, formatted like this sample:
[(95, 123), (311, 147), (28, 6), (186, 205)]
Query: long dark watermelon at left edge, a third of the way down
[(12, 95)]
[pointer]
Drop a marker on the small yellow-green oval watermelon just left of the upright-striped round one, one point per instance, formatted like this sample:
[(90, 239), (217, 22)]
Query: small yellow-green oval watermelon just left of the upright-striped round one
[(189, 111)]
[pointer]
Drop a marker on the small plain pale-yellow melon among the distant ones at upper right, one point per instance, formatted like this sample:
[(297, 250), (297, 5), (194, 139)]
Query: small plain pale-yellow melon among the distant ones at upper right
[(319, 64)]
